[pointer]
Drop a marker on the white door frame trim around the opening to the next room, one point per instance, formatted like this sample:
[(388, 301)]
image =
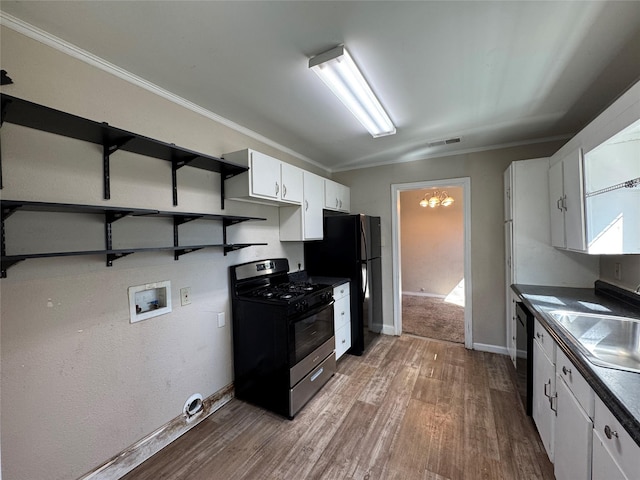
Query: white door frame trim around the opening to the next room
[(465, 184)]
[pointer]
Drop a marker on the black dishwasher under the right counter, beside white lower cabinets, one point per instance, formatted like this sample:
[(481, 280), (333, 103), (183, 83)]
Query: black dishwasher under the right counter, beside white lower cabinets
[(524, 355)]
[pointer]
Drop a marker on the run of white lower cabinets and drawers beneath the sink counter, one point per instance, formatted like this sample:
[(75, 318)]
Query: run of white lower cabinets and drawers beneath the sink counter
[(581, 436)]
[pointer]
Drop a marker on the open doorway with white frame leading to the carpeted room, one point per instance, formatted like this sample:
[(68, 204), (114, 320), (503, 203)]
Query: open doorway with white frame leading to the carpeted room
[(431, 264)]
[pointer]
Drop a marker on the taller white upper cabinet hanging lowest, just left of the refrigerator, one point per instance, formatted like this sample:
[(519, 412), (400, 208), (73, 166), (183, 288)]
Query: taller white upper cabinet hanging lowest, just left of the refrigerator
[(306, 221)]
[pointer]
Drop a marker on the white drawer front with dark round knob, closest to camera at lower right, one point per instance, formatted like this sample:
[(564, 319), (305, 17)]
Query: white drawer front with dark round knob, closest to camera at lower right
[(624, 451)]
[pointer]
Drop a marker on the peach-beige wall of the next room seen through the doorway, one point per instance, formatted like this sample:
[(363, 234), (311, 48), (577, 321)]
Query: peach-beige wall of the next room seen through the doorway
[(432, 242)]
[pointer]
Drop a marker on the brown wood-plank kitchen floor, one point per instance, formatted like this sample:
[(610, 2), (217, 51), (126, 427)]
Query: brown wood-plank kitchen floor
[(410, 408)]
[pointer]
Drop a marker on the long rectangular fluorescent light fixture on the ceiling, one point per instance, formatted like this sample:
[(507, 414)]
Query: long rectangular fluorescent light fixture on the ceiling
[(338, 71)]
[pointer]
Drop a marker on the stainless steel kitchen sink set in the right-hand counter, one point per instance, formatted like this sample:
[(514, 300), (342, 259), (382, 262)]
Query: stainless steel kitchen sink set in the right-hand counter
[(605, 340)]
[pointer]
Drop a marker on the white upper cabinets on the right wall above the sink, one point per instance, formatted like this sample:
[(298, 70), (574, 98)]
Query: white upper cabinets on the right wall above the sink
[(599, 171)]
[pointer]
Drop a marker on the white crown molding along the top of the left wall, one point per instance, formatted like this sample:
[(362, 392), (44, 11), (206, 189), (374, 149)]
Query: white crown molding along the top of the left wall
[(78, 53)]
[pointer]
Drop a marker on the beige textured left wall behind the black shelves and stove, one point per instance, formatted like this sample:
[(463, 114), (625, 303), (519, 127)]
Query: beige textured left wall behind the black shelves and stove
[(79, 382)]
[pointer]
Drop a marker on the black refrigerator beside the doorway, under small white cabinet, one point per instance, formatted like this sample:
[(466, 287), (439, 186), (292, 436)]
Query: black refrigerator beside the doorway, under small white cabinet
[(351, 249)]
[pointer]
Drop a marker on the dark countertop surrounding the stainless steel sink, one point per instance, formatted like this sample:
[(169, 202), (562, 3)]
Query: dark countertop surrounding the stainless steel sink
[(618, 389)]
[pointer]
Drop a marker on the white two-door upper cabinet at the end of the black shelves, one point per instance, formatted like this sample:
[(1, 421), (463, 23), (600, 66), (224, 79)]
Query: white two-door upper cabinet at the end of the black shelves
[(268, 180)]
